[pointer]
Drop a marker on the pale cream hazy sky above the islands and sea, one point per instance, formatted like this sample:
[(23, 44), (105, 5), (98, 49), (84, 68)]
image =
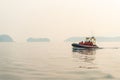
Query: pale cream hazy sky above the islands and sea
[(59, 19)]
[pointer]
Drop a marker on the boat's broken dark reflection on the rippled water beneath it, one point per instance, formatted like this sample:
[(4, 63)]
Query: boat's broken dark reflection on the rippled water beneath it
[(85, 58)]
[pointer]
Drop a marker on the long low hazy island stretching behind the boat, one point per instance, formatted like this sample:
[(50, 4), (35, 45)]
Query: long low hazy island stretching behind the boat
[(99, 39)]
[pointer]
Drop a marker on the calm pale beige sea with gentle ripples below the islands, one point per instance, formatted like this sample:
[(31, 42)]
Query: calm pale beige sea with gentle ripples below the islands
[(57, 61)]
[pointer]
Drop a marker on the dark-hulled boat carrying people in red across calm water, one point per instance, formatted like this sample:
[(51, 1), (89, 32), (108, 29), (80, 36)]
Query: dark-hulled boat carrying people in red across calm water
[(89, 43)]
